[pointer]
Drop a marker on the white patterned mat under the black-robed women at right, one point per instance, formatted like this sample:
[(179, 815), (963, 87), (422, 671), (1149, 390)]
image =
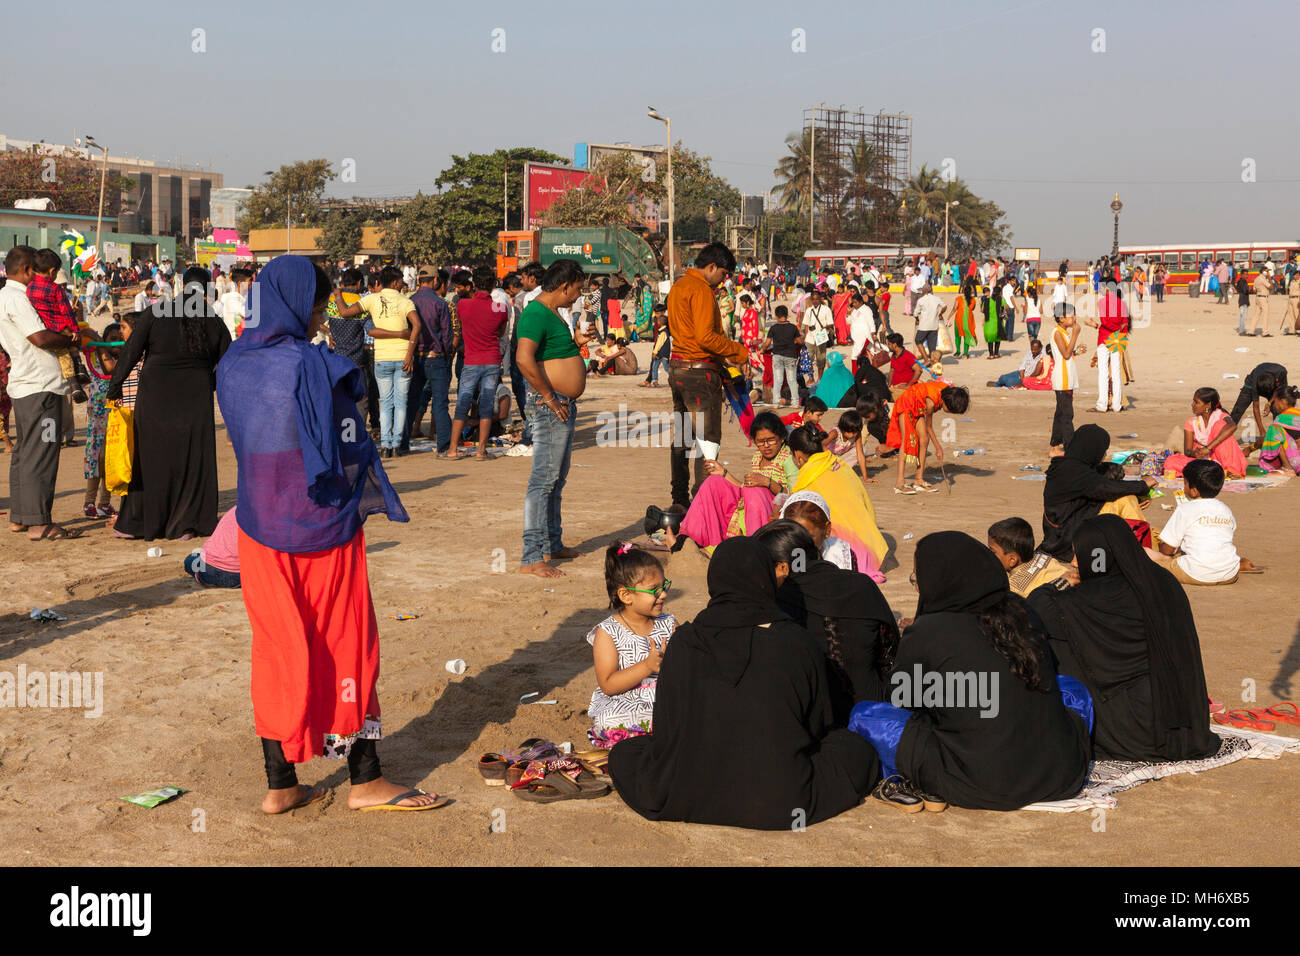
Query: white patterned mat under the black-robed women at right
[(1111, 777)]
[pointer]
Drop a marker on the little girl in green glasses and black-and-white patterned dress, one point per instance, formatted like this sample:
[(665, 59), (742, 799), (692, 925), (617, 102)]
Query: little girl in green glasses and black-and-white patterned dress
[(629, 646)]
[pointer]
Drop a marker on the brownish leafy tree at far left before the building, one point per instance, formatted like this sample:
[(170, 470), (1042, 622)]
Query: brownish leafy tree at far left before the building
[(71, 180)]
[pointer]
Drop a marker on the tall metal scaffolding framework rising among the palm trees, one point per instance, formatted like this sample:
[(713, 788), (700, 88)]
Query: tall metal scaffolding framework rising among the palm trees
[(852, 204)]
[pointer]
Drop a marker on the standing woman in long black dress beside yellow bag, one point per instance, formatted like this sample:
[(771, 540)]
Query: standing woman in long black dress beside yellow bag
[(174, 491)]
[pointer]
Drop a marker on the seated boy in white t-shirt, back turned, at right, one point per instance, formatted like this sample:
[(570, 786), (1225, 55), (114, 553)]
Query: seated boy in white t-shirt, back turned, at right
[(1198, 540)]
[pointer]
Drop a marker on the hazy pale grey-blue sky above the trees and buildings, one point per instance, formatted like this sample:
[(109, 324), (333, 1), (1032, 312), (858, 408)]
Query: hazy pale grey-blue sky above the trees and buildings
[(1012, 92)]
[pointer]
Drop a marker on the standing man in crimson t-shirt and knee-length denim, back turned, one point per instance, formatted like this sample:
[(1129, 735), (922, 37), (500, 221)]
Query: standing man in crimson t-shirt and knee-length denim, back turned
[(482, 323)]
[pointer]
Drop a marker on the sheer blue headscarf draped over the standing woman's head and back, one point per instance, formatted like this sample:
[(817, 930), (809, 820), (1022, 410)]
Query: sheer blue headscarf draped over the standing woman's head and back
[(309, 471)]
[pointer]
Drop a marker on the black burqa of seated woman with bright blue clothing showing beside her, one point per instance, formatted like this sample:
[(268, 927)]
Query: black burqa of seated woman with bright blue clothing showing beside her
[(1033, 749)]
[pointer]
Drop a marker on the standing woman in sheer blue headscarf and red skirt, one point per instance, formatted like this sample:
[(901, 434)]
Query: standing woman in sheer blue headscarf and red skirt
[(309, 478)]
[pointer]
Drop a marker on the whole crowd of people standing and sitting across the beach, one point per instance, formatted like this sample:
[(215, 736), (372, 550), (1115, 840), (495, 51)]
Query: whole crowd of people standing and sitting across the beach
[(1084, 644)]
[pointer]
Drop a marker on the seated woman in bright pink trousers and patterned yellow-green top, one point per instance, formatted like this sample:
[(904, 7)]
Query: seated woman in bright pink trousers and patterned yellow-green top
[(727, 505)]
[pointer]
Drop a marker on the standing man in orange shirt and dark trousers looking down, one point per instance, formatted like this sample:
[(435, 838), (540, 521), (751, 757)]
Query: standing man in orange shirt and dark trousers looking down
[(700, 349)]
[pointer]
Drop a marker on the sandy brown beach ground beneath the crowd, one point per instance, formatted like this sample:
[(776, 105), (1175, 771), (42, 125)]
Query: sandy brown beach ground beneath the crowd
[(175, 660)]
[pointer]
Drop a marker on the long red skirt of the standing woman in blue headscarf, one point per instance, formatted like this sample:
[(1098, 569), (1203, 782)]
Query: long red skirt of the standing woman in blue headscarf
[(315, 643)]
